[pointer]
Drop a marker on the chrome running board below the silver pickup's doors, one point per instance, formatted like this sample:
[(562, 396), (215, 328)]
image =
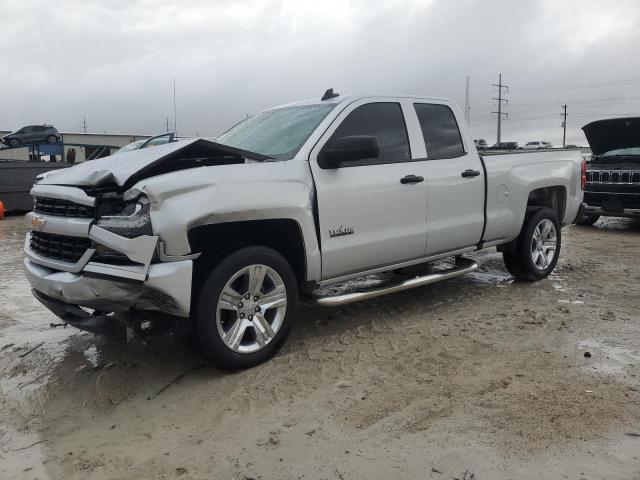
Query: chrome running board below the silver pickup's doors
[(463, 265)]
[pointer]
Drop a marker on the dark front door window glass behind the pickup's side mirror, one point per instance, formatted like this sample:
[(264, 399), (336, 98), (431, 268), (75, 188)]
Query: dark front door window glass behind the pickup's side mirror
[(383, 120)]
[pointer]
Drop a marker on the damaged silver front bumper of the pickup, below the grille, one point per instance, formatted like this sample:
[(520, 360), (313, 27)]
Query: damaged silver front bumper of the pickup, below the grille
[(167, 288)]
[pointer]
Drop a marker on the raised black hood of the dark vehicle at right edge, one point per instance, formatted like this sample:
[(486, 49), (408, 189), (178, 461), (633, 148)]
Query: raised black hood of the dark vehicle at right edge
[(612, 134)]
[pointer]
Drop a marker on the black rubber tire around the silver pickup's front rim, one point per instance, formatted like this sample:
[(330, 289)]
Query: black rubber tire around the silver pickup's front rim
[(206, 321)]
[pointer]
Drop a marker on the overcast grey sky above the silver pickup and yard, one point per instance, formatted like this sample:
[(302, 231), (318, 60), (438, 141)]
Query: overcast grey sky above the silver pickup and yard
[(113, 60)]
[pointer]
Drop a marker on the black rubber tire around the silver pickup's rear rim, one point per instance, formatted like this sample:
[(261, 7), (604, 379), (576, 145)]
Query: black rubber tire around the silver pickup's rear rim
[(518, 256)]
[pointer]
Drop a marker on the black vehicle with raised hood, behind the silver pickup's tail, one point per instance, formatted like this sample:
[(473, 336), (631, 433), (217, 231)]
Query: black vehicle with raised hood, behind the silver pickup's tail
[(613, 174)]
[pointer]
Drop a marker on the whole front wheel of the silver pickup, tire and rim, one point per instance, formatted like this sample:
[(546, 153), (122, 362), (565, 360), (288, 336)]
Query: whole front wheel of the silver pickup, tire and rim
[(246, 308)]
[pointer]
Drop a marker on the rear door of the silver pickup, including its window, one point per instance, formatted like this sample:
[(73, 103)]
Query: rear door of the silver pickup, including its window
[(454, 179)]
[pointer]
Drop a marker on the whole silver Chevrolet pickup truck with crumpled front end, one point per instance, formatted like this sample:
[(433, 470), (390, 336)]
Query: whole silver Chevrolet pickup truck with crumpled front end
[(228, 235)]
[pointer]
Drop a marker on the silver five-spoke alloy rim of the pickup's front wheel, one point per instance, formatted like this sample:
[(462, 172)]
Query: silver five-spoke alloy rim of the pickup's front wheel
[(251, 308)]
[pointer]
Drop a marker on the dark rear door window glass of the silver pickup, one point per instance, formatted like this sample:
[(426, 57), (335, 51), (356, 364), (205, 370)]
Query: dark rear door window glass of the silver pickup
[(440, 131)]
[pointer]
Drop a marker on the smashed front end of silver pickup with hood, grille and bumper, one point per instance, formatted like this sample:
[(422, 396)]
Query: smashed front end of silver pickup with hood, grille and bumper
[(92, 250)]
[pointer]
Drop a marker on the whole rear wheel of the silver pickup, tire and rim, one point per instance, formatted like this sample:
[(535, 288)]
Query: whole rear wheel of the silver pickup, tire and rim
[(535, 252)]
